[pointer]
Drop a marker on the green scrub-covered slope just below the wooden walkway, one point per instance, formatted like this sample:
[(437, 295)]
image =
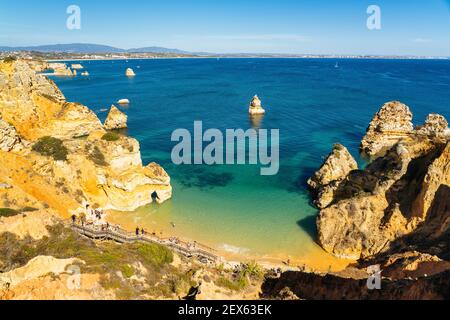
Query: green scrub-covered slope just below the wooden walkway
[(120, 265)]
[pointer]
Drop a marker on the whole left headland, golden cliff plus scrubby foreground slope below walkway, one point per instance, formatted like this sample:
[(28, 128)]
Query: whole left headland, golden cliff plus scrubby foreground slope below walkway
[(56, 156)]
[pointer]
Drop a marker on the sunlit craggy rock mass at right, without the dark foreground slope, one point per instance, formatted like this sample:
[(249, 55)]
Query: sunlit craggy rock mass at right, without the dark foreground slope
[(363, 212)]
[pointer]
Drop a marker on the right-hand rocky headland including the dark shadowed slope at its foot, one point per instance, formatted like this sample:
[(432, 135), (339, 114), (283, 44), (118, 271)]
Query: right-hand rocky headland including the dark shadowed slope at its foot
[(393, 213)]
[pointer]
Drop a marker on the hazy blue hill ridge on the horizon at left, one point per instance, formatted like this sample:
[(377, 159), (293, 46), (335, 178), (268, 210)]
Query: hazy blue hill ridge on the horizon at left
[(90, 48)]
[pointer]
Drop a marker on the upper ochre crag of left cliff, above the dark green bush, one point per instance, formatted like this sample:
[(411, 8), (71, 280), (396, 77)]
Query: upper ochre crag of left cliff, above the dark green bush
[(36, 107)]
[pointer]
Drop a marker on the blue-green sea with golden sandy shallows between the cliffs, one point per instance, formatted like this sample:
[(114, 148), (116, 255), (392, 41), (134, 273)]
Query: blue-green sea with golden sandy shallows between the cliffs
[(313, 104)]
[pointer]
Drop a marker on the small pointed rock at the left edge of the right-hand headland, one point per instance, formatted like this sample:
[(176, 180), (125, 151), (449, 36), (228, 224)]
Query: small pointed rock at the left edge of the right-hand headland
[(334, 170)]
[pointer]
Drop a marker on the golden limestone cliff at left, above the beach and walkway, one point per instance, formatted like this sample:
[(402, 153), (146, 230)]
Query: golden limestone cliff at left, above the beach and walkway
[(92, 167)]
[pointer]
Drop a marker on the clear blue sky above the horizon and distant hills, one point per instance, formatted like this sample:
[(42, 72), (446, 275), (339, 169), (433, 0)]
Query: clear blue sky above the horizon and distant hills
[(414, 27)]
